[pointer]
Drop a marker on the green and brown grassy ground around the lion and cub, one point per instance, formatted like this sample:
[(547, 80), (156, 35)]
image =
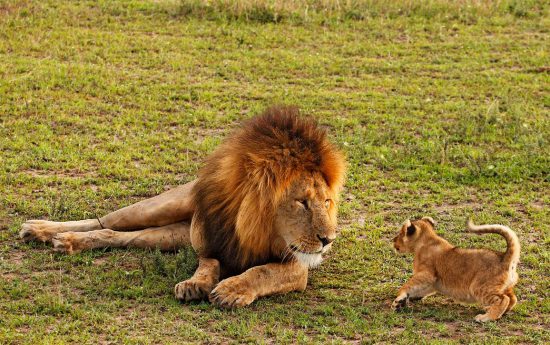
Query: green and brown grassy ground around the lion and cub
[(442, 108)]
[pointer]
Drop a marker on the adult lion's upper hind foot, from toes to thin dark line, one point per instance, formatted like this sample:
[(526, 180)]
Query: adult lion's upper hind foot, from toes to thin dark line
[(44, 230)]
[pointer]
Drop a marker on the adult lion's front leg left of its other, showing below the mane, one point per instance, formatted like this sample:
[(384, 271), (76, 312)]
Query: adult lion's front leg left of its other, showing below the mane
[(199, 286)]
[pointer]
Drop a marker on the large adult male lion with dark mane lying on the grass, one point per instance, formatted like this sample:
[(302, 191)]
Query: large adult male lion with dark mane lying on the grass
[(262, 211)]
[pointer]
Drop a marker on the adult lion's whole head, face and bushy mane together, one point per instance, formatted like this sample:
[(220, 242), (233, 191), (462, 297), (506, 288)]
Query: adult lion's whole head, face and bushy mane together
[(270, 192)]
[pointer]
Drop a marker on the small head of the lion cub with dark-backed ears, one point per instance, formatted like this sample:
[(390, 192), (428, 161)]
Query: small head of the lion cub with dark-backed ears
[(412, 234)]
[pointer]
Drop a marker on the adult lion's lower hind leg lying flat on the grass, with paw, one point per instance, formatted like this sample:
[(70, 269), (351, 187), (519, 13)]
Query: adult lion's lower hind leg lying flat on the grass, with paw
[(168, 237)]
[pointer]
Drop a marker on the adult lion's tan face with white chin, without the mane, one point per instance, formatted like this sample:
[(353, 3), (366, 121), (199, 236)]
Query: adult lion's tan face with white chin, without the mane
[(306, 219)]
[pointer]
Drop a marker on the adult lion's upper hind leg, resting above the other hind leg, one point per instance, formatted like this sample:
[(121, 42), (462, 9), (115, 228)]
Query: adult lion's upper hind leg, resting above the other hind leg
[(170, 207)]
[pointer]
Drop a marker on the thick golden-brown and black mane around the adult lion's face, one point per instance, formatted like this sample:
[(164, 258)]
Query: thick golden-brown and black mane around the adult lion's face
[(243, 180)]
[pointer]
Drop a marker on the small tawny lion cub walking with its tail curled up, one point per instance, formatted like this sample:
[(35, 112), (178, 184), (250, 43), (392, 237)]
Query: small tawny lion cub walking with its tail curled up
[(467, 275)]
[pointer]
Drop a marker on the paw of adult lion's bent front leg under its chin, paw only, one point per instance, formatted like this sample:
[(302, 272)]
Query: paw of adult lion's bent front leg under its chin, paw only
[(232, 293)]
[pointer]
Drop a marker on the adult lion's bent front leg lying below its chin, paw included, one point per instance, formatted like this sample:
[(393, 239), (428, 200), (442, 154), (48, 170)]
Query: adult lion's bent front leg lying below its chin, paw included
[(259, 281)]
